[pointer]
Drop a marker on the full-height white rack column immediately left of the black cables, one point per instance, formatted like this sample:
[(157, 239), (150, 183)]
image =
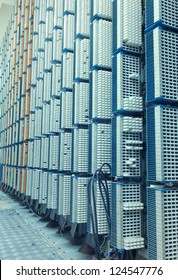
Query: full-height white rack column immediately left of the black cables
[(80, 132)]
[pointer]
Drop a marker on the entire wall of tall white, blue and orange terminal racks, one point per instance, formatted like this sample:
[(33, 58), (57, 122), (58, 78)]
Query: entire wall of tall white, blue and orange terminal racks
[(60, 70)]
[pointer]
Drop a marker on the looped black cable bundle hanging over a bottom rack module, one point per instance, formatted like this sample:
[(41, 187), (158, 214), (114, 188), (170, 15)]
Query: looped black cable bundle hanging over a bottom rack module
[(99, 190)]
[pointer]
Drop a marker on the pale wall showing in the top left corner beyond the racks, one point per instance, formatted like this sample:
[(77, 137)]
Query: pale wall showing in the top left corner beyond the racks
[(5, 15)]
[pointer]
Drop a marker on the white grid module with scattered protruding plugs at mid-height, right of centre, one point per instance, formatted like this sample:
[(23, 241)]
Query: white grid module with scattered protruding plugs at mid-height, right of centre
[(127, 158)]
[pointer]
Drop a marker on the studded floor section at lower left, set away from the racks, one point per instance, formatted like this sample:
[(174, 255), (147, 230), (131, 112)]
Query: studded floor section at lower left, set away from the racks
[(18, 241)]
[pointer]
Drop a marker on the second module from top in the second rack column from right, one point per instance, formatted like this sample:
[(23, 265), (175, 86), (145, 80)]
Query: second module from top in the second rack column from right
[(126, 81)]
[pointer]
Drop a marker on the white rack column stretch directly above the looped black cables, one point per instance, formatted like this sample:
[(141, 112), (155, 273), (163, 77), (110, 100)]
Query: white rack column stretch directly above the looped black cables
[(100, 84)]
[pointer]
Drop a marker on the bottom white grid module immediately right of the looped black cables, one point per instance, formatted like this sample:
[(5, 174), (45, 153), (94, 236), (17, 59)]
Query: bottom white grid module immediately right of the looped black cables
[(126, 209)]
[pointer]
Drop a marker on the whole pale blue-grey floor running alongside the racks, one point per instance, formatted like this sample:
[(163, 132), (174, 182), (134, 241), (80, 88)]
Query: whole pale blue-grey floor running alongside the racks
[(24, 237)]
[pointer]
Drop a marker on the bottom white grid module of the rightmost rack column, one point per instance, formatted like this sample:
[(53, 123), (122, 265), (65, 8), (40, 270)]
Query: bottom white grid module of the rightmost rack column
[(162, 223)]
